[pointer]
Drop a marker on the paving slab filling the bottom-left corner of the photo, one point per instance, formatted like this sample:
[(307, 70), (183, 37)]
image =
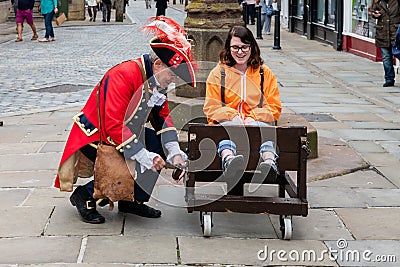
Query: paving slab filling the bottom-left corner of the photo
[(38, 250)]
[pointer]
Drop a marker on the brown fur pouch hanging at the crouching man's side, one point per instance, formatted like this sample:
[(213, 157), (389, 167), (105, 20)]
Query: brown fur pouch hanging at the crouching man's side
[(113, 178)]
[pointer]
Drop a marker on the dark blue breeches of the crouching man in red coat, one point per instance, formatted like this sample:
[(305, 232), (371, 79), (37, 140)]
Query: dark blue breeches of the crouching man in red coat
[(145, 182)]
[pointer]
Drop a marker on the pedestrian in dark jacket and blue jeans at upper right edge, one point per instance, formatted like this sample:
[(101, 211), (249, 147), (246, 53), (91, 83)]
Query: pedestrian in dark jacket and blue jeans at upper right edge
[(387, 14)]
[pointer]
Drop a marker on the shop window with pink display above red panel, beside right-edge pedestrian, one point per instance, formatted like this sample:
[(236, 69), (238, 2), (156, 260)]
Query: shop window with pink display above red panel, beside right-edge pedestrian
[(361, 23)]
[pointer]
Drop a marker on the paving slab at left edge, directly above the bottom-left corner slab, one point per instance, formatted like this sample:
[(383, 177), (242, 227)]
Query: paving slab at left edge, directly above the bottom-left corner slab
[(23, 221)]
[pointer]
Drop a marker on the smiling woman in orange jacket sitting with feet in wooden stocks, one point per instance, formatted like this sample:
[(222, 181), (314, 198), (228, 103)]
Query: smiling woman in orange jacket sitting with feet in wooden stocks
[(242, 90)]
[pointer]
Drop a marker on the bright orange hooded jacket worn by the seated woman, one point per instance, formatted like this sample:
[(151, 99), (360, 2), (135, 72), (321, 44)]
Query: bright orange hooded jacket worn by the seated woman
[(242, 95)]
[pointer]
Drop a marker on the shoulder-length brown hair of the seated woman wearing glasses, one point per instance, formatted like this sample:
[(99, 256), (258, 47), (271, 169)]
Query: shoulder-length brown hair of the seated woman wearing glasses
[(247, 37)]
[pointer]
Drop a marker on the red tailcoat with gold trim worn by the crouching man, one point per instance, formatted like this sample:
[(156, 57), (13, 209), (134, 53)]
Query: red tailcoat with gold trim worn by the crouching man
[(123, 113)]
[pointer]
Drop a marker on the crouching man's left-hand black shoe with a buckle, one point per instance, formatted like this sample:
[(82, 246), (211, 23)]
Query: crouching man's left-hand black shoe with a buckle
[(86, 206)]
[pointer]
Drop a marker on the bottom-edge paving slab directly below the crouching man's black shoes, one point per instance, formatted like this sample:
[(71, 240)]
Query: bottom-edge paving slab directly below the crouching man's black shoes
[(122, 249)]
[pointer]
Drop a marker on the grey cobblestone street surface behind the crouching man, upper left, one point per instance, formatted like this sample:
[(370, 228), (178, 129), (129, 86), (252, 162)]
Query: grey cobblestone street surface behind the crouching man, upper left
[(30, 72)]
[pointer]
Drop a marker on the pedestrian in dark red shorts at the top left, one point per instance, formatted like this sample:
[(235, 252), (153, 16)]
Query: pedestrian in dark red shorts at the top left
[(24, 12)]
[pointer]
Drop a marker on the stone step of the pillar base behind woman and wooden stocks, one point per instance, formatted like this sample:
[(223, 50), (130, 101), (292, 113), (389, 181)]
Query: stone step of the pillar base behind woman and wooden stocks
[(185, 110)]
